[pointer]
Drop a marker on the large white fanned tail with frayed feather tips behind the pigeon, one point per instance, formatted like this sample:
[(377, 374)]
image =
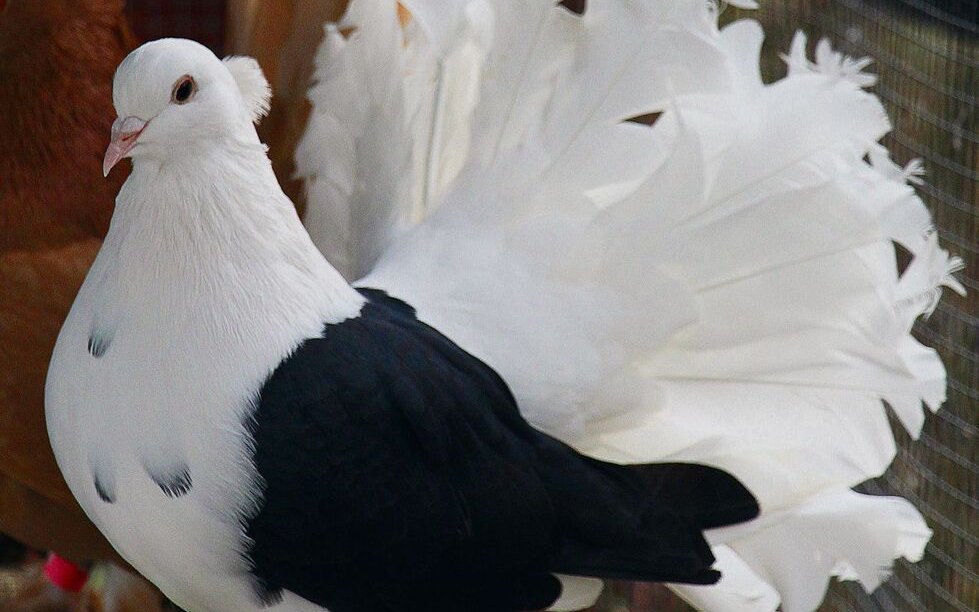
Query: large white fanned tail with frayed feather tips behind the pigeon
[(720, 287)]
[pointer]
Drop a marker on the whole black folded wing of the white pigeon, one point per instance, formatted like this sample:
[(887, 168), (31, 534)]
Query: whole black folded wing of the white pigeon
[(399, 475)]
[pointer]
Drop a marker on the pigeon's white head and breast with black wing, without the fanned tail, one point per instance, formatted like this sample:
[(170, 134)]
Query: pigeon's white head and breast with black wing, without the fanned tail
[(251, 432)]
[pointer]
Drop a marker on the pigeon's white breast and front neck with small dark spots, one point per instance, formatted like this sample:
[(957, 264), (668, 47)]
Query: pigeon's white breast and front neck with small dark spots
[(155, 376)]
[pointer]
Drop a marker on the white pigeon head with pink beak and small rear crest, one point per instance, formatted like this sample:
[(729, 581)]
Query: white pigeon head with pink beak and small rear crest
[(174, 97)]
